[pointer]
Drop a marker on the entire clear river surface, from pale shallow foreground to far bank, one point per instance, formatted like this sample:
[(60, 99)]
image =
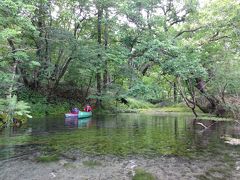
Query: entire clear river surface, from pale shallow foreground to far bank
[(169, 146)]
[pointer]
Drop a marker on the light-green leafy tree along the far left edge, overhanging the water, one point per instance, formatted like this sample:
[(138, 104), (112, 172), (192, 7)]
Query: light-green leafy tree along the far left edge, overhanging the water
[(14, 54)]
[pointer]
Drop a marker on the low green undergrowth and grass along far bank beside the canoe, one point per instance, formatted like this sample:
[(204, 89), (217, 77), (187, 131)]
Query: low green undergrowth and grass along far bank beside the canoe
[(41, 106)]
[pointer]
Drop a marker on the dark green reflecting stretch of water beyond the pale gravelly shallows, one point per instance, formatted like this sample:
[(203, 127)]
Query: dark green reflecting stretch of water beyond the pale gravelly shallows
[(123, 134)]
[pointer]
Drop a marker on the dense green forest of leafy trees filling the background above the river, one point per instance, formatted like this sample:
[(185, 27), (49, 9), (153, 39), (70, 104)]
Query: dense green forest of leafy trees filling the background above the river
[(63, 53)]
